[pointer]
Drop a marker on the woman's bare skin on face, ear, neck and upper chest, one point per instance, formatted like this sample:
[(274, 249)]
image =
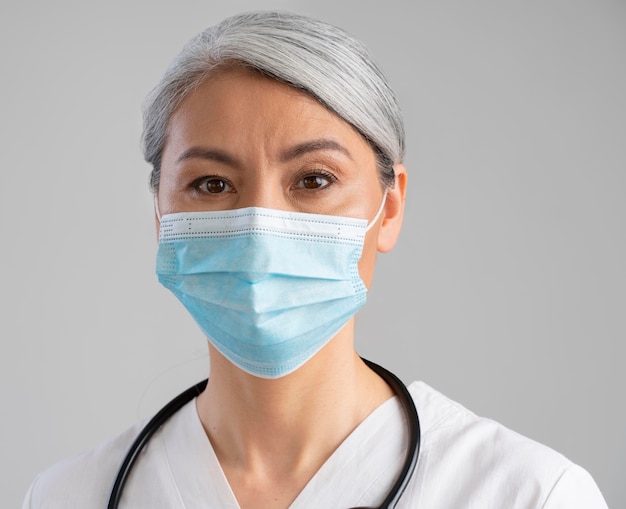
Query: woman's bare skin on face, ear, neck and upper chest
[(243, 140)]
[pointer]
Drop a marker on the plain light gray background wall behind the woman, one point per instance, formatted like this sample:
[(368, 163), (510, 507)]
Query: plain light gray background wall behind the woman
[(506, 291)]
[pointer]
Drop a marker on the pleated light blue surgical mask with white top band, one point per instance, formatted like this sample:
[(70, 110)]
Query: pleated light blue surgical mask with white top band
[(269, 288)]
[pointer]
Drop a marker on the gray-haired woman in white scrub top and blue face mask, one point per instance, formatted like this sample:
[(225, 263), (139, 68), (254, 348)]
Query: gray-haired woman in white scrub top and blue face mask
[(277, 150)]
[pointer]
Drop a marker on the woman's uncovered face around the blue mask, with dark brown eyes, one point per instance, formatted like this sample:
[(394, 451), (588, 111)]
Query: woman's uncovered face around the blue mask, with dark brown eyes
[(243, 140)]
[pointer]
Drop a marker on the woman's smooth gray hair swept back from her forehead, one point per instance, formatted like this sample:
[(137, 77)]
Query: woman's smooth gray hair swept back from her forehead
[(309, 55)]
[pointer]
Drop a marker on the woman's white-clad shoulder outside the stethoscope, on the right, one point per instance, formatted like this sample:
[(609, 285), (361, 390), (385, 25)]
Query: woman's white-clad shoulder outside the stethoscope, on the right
[(473, 458)]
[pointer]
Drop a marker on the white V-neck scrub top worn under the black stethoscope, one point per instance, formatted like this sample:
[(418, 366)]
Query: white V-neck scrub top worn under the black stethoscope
[(465, 462)]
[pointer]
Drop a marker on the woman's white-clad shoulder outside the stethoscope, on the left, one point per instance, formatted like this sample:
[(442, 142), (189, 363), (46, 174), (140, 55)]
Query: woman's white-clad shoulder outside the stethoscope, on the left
[(84, 480)]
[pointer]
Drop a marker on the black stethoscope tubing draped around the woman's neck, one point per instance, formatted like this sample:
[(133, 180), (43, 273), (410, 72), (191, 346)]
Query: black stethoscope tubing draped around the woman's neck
[(182, 399)]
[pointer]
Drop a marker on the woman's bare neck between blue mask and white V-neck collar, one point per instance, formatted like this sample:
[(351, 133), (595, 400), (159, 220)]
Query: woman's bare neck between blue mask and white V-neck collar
[(291, 425)]
